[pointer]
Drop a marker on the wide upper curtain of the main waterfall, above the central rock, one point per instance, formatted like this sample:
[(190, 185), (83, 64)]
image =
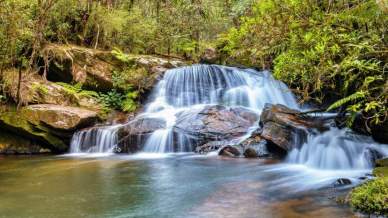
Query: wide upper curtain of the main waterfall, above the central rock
[(212, 84)]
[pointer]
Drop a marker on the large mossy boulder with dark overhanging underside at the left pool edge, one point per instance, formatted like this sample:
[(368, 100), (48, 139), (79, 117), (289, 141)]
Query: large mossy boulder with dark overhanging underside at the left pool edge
[(50, 126)]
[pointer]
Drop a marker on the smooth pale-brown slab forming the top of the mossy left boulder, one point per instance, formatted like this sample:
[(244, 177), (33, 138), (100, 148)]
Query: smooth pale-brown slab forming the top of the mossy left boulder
[(60, 117)]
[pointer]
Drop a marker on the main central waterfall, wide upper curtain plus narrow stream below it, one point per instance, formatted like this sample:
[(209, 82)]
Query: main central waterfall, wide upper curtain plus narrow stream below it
[(189, 89)]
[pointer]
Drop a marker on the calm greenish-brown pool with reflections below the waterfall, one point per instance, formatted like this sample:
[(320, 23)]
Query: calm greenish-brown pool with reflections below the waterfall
[(169, 186)]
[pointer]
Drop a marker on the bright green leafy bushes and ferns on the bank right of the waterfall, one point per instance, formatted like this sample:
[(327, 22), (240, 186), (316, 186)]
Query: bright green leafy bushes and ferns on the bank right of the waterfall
[(325, 51)]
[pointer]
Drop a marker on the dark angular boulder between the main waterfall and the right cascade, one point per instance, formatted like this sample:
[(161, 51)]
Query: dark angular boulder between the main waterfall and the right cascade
[(287, 128)]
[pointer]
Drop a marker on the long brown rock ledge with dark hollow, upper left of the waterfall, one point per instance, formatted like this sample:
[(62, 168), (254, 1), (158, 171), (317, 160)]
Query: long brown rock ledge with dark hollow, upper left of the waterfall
[(94, 68)]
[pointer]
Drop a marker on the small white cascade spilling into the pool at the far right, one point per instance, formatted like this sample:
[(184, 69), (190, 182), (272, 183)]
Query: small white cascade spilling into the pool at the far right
[(338, 149)]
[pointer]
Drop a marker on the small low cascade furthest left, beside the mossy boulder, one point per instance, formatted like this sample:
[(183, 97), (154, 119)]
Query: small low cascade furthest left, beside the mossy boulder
[(95, 140)]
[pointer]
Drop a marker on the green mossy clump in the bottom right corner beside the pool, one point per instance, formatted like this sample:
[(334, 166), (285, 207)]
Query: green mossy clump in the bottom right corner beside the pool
[(371, 197)]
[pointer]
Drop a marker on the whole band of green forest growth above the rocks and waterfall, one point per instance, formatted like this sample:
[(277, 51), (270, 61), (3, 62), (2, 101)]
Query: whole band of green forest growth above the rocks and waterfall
[(326, 51)]
